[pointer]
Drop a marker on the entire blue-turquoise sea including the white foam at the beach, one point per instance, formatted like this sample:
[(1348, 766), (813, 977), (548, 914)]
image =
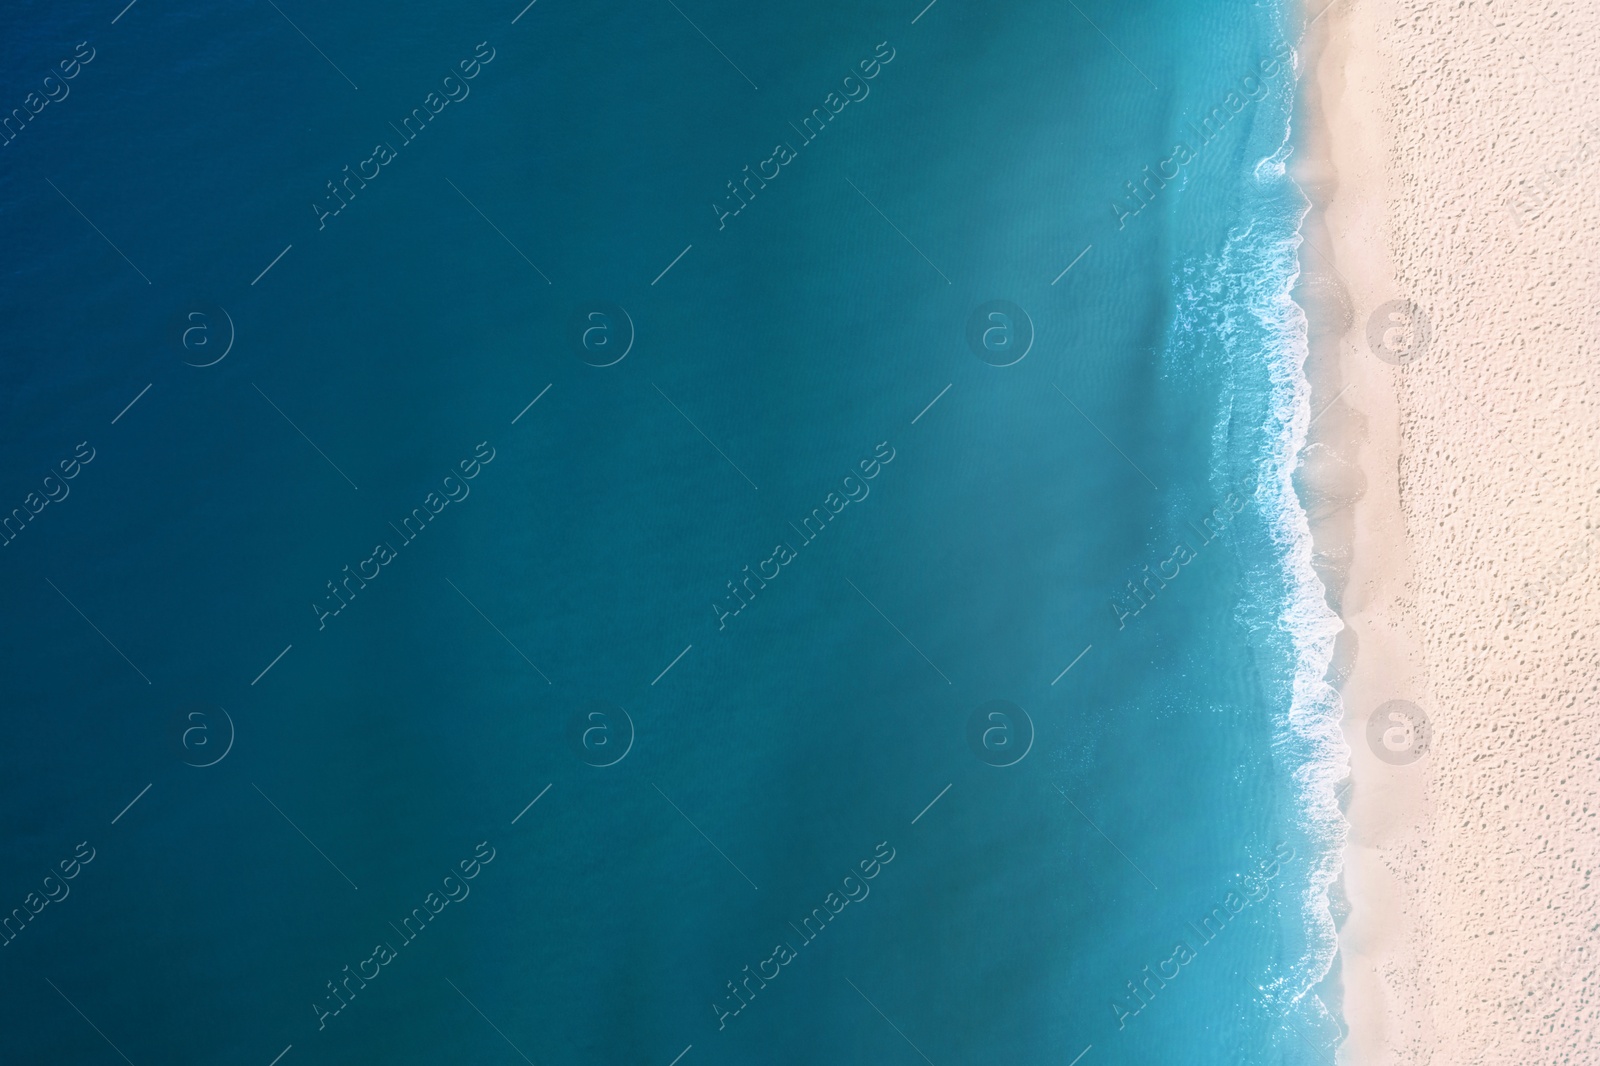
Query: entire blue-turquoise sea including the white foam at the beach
[(334, 851)]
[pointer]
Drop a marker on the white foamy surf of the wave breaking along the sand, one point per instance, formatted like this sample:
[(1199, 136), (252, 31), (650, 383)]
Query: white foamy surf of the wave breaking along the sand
[(1239, 307)]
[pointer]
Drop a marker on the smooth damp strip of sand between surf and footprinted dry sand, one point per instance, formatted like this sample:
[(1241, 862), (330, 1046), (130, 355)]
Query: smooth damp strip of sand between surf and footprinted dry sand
[(1351, 494)]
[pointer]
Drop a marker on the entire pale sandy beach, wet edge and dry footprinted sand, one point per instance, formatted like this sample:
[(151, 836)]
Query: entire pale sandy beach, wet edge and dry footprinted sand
[(1454, 291)]
